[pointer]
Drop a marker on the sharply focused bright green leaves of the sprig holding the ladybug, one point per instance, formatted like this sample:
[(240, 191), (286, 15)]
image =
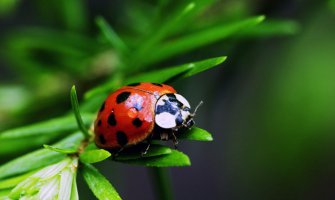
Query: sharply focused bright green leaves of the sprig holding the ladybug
[(80, 147)]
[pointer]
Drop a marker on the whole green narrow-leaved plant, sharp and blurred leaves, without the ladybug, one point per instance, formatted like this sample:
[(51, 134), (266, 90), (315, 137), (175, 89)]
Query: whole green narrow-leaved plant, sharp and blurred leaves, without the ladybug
[(127, 60)]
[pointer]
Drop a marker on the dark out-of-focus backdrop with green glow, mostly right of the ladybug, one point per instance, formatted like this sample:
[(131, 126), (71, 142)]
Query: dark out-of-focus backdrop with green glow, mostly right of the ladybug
[(270, 108)]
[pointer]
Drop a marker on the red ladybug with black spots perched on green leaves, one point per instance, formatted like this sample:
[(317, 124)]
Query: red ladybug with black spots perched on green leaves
[(139, 112)]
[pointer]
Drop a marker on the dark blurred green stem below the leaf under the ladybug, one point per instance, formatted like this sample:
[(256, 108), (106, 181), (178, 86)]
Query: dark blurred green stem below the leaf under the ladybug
[(162, 183)]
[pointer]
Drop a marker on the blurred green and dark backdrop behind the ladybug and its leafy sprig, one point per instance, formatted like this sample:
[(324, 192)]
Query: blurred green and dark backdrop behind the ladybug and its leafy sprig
[(270, 107)]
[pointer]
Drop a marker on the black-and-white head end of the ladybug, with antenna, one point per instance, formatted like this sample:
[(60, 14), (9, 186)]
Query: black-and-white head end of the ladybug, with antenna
[(172, 111)]
